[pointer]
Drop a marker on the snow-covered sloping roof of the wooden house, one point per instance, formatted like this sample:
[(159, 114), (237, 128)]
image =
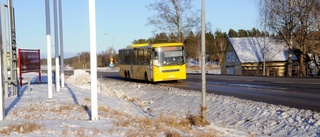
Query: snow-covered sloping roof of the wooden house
[(250, 49)]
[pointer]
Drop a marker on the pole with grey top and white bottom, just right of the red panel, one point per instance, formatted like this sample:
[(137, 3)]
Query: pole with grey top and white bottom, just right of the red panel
[(49, 65)]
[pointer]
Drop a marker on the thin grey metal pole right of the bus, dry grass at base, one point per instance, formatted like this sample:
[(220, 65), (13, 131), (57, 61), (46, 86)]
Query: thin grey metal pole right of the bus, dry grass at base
[(203, 63)]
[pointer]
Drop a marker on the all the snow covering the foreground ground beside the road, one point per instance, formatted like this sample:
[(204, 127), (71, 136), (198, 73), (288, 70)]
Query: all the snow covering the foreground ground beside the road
[(135, 109)]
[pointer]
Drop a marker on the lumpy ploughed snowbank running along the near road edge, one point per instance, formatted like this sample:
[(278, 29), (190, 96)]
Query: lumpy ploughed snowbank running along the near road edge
[(227, 114)]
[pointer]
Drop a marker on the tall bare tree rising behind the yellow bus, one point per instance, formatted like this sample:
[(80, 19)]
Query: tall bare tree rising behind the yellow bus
[(174, 16)]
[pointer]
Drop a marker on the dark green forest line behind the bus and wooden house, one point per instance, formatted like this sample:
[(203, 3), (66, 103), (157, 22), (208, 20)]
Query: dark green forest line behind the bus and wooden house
[(216, 42)]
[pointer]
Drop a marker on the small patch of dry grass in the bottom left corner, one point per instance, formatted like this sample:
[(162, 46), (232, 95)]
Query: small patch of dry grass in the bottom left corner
[(24, 128)]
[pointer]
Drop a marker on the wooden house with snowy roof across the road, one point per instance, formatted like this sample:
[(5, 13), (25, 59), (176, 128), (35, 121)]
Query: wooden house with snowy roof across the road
[(245, 56)]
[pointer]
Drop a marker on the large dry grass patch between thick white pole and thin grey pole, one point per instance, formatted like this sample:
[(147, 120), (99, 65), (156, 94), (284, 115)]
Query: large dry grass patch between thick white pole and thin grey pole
[(162, 124)]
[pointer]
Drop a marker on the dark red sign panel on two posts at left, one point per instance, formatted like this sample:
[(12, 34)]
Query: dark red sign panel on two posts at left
[(29, 61)]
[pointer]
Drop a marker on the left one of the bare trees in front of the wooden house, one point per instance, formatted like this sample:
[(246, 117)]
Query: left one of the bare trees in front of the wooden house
[(280, 17)]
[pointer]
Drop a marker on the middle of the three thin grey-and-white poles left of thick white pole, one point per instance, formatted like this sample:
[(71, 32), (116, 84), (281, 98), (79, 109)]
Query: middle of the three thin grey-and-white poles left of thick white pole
[(56, 44)]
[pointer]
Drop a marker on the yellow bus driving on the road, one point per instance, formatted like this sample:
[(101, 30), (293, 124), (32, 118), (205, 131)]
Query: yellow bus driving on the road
[(153, 62)]
